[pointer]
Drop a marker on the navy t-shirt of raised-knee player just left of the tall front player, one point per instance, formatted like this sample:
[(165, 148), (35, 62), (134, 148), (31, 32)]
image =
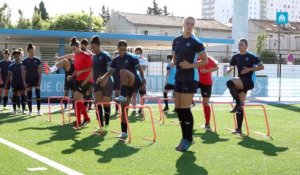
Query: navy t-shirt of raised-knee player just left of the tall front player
[(129, 62)]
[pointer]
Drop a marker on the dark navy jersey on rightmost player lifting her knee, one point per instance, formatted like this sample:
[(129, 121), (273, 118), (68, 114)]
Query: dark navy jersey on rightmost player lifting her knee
[(248, 60)]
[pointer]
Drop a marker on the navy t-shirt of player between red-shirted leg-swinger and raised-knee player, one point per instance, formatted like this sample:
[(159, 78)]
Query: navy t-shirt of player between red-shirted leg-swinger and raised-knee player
[(100, 64)]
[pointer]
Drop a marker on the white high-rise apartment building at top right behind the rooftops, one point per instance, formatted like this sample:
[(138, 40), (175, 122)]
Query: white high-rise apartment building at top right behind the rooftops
[(222, 10)]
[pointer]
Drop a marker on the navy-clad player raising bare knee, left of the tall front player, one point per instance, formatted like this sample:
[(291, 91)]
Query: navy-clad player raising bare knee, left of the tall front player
[(127, 65)]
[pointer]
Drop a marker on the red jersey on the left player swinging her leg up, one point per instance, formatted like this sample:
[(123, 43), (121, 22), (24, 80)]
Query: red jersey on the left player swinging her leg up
[(82, 61)]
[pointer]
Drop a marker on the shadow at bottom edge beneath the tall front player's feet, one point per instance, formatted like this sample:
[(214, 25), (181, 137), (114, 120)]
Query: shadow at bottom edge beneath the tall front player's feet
[(186, 164)]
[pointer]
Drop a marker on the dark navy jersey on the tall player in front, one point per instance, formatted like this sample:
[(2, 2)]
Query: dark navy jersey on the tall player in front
[(187, 49)]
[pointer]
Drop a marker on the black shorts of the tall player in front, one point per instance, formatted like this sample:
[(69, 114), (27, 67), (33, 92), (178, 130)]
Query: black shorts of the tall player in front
[(186, 86)]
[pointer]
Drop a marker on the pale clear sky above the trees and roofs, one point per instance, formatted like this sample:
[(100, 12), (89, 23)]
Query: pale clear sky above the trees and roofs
[(178, 7)]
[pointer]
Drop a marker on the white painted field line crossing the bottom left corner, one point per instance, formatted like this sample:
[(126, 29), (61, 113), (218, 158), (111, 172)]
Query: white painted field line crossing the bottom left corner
[(40, 158)]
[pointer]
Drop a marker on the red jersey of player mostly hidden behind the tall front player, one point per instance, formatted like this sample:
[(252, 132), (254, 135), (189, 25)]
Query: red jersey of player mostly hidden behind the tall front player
[(205, 78)]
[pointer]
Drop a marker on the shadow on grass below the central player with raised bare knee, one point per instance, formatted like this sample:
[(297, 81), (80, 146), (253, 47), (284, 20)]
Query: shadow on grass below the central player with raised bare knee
[(119, 150)]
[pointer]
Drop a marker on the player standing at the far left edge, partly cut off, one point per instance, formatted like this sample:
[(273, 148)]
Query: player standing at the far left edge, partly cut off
[(4, 64)]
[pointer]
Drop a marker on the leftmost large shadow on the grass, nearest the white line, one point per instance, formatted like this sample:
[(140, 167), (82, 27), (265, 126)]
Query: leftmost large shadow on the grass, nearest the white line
[(61, 133)]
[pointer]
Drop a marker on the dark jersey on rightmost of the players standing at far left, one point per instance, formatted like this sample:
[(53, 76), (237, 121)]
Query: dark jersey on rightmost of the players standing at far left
[(31, 67)]
